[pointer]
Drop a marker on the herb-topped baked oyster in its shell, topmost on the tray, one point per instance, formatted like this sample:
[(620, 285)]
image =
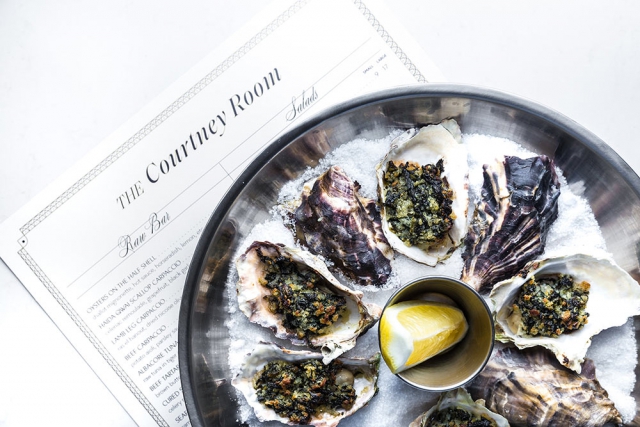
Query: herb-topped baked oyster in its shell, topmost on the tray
[(423, 191)]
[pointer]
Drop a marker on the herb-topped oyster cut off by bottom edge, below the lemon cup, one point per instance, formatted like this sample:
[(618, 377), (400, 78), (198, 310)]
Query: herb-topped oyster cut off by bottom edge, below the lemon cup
[(457, 408)]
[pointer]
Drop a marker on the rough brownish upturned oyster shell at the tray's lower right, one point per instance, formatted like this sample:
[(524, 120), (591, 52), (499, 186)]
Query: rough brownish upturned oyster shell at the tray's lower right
[(530, 388)]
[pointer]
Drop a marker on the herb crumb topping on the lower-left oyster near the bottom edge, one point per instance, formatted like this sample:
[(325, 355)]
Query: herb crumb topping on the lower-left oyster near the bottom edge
[(299, 391)]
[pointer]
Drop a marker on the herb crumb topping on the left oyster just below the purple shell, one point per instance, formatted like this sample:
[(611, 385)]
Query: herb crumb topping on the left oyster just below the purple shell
[(308, 307)]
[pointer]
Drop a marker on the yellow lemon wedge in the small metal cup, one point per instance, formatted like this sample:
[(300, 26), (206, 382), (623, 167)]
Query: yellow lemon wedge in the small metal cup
[(414, 331)]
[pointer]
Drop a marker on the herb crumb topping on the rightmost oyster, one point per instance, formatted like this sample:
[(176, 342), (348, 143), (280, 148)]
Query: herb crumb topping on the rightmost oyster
[(550, 306)]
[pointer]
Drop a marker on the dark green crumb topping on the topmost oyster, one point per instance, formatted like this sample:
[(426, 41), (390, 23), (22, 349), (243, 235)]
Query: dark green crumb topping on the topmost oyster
[(418, 203)]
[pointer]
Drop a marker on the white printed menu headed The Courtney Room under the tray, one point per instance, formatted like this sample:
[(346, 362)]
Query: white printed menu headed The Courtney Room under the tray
[(105, 249)]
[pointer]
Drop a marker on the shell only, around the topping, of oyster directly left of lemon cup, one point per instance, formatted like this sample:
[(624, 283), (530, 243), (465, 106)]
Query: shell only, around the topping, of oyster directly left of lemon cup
[(253, 299)]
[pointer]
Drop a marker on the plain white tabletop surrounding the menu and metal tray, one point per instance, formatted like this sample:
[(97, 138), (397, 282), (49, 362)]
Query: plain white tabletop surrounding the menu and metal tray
[(72, 71)]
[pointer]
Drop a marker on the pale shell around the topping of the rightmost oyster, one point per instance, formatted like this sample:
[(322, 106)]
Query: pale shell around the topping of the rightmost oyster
[(613, 297)]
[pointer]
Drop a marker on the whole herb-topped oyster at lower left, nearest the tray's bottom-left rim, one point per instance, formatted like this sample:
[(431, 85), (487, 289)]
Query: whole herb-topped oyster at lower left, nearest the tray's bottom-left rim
[(295, 387)]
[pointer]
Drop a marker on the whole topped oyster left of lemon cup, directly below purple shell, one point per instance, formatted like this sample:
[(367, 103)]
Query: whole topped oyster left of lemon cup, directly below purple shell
[(291, 292)]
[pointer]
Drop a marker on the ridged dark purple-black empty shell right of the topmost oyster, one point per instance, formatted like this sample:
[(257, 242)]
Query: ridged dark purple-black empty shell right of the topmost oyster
[(510, 224)]
